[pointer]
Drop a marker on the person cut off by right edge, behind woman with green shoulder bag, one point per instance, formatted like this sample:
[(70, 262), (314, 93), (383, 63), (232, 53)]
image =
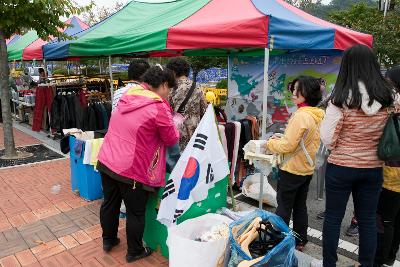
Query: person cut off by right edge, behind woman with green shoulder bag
[(388, 213)]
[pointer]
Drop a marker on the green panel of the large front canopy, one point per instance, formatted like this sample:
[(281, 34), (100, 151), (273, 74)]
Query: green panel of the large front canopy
[(139, 27)]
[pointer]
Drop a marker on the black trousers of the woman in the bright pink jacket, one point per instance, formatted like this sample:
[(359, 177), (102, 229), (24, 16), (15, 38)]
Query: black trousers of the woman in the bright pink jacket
[(135, 202)]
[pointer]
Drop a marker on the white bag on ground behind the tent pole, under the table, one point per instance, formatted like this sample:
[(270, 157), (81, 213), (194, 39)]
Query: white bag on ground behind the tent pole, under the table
[(251, 188)]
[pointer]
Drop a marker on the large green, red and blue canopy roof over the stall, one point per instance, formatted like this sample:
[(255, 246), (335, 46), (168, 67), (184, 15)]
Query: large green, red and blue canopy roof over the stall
[(207, 26)]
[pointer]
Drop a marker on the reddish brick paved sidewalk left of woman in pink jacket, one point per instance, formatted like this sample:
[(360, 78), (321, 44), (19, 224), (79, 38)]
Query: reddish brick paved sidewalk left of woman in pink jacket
[(39, 228)]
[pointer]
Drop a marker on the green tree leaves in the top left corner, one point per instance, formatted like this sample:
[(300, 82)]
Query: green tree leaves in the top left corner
[(44, 16)]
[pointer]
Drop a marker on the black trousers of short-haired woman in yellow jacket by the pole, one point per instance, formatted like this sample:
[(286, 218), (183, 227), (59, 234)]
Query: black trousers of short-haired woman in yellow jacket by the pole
[(292, 197)]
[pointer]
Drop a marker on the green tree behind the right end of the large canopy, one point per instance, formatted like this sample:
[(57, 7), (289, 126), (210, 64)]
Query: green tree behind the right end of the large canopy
[(369, 19)]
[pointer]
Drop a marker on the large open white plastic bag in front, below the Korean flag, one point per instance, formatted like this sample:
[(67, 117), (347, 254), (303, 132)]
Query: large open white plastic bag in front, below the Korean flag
[(184, 251)]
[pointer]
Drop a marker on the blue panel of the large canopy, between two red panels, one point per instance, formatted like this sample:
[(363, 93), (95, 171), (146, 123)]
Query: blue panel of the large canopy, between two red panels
[(291, 31)]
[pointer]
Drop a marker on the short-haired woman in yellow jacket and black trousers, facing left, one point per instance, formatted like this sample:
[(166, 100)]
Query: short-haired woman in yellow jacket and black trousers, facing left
[(298, 146)]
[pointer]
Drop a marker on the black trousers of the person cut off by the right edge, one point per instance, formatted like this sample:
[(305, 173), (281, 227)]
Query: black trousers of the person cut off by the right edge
[(388, 221)]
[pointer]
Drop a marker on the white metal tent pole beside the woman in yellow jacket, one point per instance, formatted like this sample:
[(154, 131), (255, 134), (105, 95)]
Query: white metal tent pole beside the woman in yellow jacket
[(264, 117)]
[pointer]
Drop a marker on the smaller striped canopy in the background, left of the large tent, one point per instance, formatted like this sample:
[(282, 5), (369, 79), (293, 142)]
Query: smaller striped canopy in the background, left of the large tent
[(29, 46)]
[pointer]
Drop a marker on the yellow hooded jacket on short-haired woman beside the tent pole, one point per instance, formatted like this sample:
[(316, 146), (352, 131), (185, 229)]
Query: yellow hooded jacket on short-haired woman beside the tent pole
[(303, 120)]
